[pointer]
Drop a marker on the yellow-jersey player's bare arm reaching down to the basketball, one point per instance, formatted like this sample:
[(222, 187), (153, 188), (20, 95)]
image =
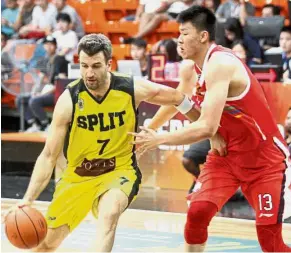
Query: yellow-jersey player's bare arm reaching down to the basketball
[(46, 161)]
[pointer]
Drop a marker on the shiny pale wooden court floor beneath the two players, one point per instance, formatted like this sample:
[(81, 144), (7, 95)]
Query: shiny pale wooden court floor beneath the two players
[(155, 231)]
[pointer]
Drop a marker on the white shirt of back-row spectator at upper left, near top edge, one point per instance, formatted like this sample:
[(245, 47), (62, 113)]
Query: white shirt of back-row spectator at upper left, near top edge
[(43, 19)]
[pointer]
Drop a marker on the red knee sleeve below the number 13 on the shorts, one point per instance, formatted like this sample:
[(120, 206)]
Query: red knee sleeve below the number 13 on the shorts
[(270, 238)]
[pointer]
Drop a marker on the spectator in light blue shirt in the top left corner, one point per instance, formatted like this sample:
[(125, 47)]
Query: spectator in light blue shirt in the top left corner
[(8, 18)]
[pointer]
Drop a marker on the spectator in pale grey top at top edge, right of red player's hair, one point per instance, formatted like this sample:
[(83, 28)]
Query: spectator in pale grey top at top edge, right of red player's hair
[(236, 9)]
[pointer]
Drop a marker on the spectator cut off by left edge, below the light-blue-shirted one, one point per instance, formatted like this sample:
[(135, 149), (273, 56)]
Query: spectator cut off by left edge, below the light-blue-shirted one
[(6, 61)]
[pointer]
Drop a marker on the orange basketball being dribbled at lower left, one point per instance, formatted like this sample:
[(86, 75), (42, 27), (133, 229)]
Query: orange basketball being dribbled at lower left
[(25, 228)]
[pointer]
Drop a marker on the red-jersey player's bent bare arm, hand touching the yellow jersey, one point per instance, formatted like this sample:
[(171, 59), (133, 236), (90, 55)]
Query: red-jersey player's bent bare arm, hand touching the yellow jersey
[(218, 76)]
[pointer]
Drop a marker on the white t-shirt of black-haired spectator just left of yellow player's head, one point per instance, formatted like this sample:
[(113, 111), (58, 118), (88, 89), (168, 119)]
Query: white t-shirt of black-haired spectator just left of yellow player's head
[(66, 40)]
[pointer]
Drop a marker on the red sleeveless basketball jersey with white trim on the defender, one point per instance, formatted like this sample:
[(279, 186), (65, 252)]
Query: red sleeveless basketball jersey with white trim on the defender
[(247, 124)]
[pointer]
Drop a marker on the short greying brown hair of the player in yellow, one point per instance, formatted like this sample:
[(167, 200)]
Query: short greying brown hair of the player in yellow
[(94, 43)]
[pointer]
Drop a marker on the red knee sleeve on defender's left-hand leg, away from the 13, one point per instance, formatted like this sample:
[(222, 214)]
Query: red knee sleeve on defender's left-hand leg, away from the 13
[(198, 219)]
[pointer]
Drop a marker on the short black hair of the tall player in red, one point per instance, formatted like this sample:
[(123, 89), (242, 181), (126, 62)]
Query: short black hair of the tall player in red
[(201, 18)]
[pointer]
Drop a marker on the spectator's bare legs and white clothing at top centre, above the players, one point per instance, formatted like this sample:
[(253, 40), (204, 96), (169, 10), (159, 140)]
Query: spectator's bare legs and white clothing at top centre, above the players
[(151, 14)]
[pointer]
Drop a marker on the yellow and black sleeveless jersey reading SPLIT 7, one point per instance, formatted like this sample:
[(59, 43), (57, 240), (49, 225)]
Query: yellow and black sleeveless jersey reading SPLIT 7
[(98, 141)]
